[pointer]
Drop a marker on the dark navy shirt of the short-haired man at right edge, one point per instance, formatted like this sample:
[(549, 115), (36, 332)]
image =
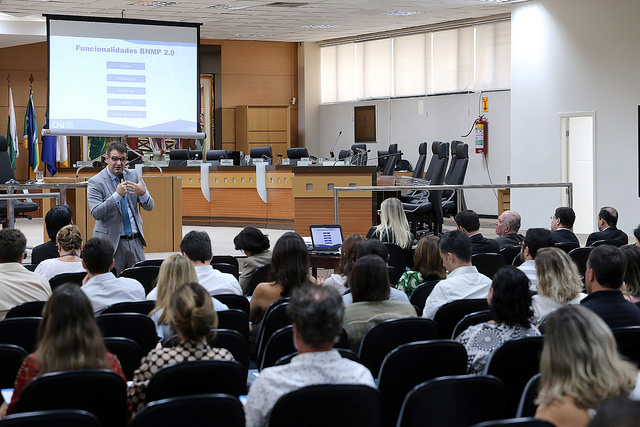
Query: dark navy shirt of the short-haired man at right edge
[(613, 308)]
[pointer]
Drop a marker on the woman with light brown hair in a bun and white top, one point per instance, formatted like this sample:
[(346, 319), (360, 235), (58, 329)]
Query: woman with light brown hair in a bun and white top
[(69, 244)]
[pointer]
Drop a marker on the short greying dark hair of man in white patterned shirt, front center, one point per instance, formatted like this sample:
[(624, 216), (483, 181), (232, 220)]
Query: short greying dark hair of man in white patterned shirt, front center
[(317, 312)]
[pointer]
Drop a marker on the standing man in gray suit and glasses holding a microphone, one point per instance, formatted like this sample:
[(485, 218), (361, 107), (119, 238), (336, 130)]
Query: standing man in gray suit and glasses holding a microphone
[(112, 192)]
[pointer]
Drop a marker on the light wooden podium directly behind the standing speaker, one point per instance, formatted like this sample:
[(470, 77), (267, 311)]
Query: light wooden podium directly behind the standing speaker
[(162, 226)]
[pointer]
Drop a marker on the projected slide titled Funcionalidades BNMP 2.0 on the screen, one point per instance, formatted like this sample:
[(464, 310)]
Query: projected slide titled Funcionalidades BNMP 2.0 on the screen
[(122, 79)]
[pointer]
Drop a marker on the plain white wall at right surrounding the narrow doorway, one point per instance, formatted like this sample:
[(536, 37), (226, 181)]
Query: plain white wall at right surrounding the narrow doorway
[(575, 56)]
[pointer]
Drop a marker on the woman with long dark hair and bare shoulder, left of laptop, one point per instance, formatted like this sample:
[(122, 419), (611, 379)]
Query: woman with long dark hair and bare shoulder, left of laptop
[(290, 268)]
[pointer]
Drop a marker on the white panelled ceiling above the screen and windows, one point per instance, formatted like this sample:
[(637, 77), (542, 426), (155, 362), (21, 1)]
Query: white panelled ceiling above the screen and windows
[(289, 20)]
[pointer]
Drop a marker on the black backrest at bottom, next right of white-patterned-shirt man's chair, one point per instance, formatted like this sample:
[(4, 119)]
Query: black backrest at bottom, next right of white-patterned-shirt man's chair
[(453, 401)]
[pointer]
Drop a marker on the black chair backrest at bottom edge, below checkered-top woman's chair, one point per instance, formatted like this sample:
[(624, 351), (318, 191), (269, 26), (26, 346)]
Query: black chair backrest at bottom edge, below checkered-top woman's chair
[(200, 410)]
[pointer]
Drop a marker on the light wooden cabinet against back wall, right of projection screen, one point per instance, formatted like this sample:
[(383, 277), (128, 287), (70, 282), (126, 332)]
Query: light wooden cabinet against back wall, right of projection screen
[(261, 125)]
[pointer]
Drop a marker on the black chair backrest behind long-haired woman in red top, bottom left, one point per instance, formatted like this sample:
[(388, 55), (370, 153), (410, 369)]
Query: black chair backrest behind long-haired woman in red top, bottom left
[(99, 391)]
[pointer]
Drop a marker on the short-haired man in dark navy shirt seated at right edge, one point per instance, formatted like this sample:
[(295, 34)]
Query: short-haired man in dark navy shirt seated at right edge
[(603, 279)]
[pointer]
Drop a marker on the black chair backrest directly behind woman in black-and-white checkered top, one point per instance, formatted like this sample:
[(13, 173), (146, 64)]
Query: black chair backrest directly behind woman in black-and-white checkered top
[(197, 377)]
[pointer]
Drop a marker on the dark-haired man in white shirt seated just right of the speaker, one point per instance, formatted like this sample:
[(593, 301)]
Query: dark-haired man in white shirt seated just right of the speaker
[(196, 245)]
